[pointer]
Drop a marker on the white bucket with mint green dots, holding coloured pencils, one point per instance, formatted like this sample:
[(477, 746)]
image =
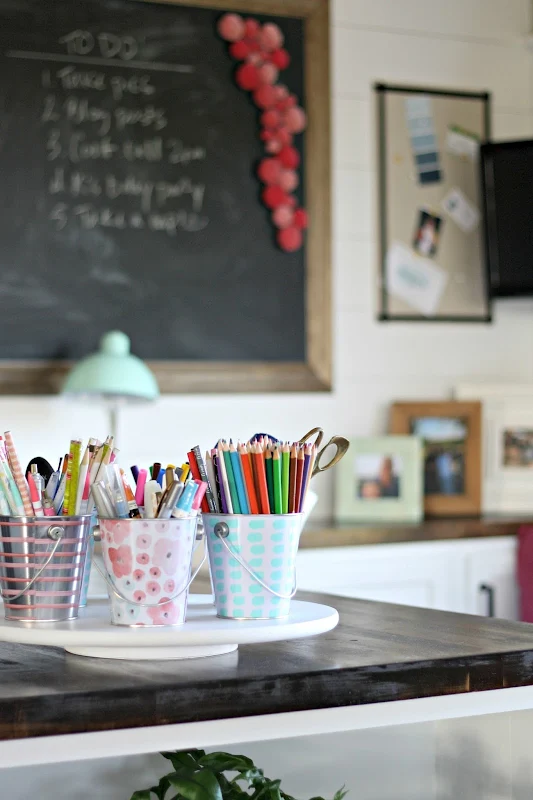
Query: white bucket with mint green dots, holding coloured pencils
[(252, 559)]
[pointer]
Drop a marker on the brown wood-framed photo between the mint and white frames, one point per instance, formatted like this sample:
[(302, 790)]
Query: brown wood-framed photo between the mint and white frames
[(451, 436)]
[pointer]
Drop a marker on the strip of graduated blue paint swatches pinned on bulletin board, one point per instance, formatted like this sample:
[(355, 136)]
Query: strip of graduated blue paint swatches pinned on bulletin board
[(423, 139)]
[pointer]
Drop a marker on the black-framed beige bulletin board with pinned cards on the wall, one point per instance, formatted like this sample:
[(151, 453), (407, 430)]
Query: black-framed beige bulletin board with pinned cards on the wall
[(432, 259)]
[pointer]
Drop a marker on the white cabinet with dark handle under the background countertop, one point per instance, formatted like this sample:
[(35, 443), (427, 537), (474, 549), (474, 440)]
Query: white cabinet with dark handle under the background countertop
[(446, 575)]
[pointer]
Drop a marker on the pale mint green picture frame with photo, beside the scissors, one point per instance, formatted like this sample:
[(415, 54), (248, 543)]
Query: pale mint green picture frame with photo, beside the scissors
[(380, 480)]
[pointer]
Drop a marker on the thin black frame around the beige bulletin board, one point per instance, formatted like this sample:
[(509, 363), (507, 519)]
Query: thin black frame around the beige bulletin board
[(386, 314)]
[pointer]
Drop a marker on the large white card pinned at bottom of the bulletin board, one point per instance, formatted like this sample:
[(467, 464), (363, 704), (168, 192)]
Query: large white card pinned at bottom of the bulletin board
[(419, 282)]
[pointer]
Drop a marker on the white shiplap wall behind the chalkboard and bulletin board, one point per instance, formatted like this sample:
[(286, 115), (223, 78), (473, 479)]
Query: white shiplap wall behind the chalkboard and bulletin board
[(469, 44)]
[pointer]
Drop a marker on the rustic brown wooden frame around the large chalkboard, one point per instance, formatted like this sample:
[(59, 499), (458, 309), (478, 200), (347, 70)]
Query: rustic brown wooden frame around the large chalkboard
[(313, 374)]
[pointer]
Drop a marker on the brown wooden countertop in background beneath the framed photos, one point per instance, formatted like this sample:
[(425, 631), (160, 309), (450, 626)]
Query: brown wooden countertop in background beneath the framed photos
[(336, 535)]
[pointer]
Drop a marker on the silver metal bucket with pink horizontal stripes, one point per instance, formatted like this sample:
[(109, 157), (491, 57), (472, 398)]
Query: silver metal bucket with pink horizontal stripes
[(42, 562)]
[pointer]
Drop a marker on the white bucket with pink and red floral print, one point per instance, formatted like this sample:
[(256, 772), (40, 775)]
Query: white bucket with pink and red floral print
[(148, 566)]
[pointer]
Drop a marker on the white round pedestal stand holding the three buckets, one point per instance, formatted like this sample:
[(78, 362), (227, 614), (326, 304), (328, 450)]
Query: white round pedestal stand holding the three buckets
[(202, 635)]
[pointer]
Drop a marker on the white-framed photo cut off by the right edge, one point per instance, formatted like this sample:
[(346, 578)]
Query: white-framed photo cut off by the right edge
[(507, 413)]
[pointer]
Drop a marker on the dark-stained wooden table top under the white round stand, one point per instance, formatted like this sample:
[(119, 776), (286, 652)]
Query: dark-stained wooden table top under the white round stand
[(379, 652)]
